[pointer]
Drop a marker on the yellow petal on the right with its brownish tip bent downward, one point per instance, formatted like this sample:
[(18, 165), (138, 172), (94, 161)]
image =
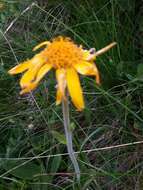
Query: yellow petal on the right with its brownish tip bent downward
[(87, 68)]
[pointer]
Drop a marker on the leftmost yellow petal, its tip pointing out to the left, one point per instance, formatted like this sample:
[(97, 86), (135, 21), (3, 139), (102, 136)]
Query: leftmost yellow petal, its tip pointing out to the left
[(20, 68)]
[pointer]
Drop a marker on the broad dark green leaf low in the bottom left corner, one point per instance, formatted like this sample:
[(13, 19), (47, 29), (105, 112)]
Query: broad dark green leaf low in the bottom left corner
[(23, 171)]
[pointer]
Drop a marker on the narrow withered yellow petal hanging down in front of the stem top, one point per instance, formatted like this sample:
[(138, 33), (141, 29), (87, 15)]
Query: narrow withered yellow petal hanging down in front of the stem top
[(61, 80)]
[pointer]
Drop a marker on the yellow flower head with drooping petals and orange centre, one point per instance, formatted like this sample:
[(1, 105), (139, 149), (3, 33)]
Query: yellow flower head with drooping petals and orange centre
[(68, 59)]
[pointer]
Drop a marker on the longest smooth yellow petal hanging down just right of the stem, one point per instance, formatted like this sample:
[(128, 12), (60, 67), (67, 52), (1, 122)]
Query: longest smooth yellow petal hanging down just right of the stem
[(74, 88)]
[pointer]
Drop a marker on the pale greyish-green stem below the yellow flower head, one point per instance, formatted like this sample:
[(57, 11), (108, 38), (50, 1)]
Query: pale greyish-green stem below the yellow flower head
[(68, 133)]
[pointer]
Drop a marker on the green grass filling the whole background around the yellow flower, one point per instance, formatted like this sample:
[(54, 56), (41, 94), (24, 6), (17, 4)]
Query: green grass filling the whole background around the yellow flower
[(32, 150)]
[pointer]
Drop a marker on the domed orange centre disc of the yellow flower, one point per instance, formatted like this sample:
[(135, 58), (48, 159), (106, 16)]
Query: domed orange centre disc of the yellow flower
[(63, 53)]
